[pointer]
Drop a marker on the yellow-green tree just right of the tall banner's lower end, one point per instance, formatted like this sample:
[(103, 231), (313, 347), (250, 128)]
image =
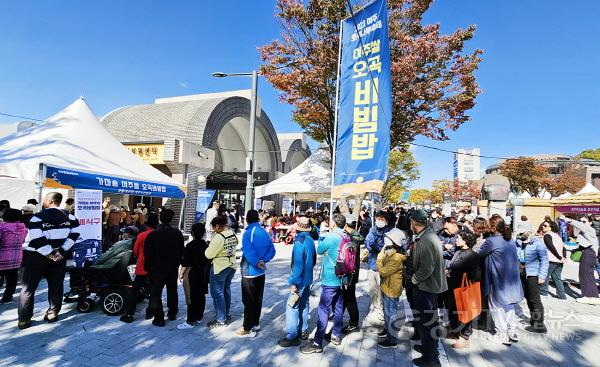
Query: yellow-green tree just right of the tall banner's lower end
[(402, 171)]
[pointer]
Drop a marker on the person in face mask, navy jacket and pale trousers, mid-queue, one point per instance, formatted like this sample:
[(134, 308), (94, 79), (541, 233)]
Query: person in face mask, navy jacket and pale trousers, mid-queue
[(374, 243)]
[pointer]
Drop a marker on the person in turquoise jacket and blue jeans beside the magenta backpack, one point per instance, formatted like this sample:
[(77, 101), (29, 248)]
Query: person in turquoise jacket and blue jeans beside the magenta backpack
[(331, 290)]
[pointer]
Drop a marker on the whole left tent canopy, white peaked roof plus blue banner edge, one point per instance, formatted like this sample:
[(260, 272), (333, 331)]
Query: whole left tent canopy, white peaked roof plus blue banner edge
[(78, 152)]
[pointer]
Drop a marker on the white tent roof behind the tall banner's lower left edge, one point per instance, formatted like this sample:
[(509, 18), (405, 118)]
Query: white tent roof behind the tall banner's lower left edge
[(311, 180)]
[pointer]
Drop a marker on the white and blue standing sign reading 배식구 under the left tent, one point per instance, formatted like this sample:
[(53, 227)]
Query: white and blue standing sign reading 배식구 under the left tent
[(88, 210)]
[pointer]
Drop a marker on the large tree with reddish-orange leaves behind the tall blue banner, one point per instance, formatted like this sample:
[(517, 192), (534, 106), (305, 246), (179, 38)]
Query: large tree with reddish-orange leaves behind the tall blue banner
[(433, 81)]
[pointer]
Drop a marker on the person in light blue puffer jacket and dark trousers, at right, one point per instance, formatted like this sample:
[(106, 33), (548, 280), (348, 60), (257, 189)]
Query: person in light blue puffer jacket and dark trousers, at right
[(533, 257)]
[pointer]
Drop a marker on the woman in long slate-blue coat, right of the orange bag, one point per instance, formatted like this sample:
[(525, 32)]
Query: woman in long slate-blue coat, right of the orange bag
[(502, 279)]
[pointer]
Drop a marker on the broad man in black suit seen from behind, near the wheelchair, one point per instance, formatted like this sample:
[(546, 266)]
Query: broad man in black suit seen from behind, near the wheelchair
[(163, 250)]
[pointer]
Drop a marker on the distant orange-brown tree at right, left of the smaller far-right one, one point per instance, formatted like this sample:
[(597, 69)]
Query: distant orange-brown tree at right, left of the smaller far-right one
[(525, 175)]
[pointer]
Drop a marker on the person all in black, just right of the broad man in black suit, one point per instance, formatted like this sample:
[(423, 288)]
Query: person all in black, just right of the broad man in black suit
[(195, 274)]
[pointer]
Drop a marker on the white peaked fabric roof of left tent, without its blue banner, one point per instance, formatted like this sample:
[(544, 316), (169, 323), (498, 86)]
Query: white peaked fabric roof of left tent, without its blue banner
[(72, 139)]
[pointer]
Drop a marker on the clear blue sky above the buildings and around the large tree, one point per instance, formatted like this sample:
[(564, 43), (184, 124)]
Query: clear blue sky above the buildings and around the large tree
[(539, 77)]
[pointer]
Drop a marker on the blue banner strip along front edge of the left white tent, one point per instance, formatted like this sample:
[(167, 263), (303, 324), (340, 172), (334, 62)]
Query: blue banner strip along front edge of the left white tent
[(71, 179)]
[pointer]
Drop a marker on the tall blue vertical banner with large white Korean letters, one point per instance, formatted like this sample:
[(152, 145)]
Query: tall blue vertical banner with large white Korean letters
[(365, 103)]
